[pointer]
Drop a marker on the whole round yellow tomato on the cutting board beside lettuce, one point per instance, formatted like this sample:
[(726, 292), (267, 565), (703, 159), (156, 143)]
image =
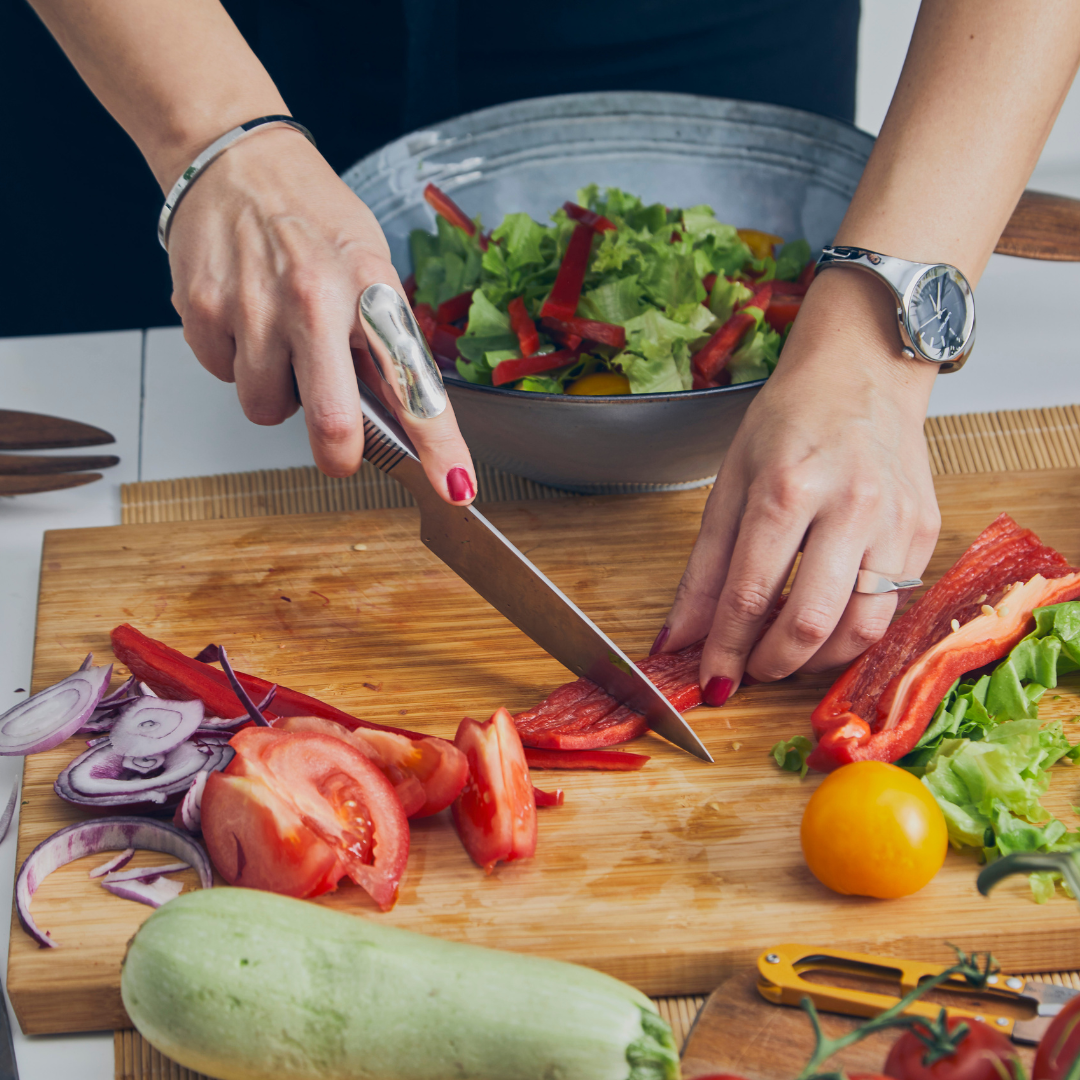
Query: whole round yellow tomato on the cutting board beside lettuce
[(873, 830)]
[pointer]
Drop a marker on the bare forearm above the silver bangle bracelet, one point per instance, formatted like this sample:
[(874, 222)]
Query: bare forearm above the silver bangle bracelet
[(175, 76)]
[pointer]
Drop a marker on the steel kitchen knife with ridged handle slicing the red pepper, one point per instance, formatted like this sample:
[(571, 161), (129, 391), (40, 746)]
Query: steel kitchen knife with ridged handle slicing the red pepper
[(483, 558)]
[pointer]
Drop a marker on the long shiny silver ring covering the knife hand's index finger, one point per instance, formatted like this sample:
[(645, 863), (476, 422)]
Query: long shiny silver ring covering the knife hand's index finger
[(401, 353)]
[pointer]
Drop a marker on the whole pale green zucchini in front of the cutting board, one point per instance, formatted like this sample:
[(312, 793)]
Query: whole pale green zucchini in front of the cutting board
[(242, 984)]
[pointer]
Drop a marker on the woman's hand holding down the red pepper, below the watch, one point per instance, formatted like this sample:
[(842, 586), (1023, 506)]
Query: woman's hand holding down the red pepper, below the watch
[(830, 461)]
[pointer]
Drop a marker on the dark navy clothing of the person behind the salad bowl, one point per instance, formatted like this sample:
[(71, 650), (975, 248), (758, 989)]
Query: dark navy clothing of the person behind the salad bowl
[(79, 207)]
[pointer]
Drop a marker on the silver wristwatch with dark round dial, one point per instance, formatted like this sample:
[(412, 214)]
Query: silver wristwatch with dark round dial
[(935, 306)]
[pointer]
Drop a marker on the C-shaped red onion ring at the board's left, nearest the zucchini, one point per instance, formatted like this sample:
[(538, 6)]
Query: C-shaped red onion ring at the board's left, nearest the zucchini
[(91, 839)]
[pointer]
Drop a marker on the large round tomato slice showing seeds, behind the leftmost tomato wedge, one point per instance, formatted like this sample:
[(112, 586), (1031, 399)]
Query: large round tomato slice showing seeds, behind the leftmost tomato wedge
[(336, 793)]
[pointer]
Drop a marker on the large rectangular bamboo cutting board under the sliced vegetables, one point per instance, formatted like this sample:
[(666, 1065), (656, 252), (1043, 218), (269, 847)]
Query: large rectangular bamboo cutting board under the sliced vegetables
[(672, 879)]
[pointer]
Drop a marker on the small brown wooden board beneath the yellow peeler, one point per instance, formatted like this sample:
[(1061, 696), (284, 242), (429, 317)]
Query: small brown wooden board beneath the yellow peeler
[(740, 1034)]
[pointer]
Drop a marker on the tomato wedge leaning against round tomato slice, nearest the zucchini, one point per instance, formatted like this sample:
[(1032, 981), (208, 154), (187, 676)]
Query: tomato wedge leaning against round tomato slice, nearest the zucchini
[(259, 841)]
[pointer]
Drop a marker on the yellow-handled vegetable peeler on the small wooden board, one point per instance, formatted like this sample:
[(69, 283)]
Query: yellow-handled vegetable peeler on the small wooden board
[(858, 984)]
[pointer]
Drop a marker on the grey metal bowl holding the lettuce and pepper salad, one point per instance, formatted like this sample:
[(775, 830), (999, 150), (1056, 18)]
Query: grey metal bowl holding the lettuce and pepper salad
[(761, 167)]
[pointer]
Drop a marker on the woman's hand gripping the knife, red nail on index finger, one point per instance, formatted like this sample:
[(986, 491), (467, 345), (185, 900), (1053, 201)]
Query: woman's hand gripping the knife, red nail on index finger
[(271, 253)]
